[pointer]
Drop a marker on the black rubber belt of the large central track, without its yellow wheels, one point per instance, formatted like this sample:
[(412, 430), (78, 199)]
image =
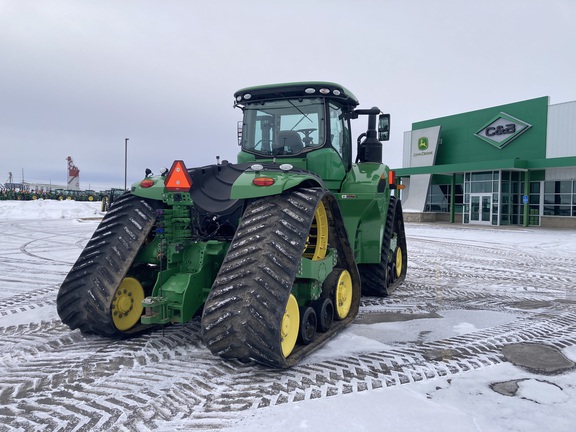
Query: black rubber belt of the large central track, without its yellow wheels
[(244, 309)]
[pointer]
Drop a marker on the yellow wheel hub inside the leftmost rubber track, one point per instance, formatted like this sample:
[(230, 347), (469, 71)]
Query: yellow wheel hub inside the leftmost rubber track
[(127, 304)]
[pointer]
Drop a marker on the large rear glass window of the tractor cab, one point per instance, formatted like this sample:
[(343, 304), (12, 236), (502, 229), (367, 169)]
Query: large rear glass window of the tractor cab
[(283, 127)]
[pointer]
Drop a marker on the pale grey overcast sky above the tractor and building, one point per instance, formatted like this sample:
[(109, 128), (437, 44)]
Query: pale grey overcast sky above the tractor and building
[(77, 77)]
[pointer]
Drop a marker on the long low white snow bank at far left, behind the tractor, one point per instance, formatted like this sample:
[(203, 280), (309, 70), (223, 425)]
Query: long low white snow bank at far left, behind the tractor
[(49, 209)]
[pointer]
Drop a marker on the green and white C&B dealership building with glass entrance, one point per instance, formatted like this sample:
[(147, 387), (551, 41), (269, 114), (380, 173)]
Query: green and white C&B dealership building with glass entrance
[(512, 164)]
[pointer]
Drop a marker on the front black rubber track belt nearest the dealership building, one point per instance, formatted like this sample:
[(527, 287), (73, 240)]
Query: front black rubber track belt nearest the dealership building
[(375, 276)]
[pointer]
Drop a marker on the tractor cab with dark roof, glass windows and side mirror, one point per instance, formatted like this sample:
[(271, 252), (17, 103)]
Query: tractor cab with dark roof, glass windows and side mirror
[(308, 123)]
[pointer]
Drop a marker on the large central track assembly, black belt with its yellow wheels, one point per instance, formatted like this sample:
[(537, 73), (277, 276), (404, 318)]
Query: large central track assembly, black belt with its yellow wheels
[(251, 312)]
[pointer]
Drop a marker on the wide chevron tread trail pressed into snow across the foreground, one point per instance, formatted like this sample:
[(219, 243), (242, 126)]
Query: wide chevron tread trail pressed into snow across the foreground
[(138, 380)]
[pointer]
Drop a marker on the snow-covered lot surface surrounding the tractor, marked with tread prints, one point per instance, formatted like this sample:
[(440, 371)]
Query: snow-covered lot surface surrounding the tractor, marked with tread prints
[(427, 358)]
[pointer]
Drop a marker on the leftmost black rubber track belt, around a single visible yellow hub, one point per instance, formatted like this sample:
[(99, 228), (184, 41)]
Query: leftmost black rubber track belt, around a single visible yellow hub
[(85, 296)]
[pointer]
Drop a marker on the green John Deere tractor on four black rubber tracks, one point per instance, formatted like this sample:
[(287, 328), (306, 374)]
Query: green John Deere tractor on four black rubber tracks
[(273, 251)]
